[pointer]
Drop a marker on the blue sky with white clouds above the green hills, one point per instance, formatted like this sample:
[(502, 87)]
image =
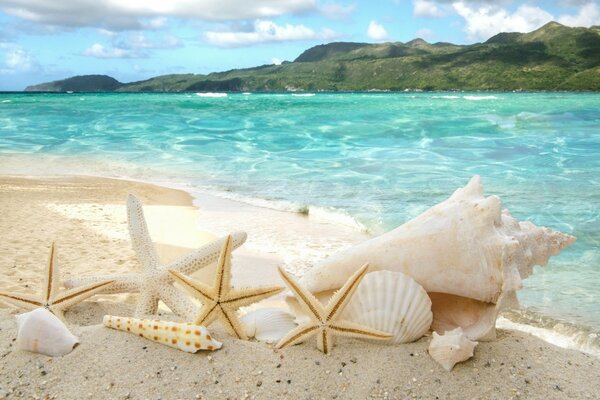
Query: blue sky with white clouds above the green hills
[(43, 40)]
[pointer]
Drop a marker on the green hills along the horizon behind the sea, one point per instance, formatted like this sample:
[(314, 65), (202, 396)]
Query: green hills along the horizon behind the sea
[(553, 57)]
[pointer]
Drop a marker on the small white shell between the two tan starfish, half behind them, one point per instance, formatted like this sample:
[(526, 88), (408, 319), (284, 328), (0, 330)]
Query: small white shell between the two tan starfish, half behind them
[(268, 324)]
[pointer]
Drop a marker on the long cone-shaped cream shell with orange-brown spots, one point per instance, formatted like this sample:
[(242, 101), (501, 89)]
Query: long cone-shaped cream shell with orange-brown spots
[(183, 336)]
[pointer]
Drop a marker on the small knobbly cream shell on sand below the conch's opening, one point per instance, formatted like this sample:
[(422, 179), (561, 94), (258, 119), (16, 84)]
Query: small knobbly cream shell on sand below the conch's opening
[(451, 348)]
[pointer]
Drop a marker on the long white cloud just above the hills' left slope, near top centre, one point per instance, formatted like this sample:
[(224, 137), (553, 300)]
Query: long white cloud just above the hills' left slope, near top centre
[(263, 31)]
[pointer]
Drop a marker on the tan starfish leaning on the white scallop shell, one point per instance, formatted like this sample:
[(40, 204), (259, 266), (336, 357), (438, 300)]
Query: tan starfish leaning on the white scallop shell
[(324, 321)]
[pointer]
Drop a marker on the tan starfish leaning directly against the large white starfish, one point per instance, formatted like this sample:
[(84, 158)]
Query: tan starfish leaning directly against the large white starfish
[(221, 301)]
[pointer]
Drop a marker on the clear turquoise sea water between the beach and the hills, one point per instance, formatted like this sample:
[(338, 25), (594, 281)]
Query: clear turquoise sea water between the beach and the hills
[(379, 159)]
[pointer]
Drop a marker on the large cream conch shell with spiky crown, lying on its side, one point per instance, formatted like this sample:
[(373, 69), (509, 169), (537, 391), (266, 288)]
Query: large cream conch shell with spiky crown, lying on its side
[(469, 255)]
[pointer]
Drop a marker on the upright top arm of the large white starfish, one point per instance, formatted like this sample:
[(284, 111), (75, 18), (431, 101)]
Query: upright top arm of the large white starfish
[(140, 237)]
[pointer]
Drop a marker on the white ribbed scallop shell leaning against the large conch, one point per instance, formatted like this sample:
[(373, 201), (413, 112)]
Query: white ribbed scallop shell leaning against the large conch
[(391, 302)]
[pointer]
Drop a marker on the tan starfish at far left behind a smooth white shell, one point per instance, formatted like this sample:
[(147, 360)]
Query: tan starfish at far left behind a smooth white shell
[(56, 302)]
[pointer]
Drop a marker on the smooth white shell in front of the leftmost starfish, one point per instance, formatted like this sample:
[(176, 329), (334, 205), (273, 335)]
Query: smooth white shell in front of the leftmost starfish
[(40, 331)]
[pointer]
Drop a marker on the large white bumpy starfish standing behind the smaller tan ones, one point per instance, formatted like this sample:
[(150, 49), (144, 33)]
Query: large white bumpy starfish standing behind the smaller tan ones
[(154, 283)]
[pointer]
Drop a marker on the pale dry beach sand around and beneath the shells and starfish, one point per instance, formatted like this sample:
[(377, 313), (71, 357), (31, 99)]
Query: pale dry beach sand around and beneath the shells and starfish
[(86, 217)]
